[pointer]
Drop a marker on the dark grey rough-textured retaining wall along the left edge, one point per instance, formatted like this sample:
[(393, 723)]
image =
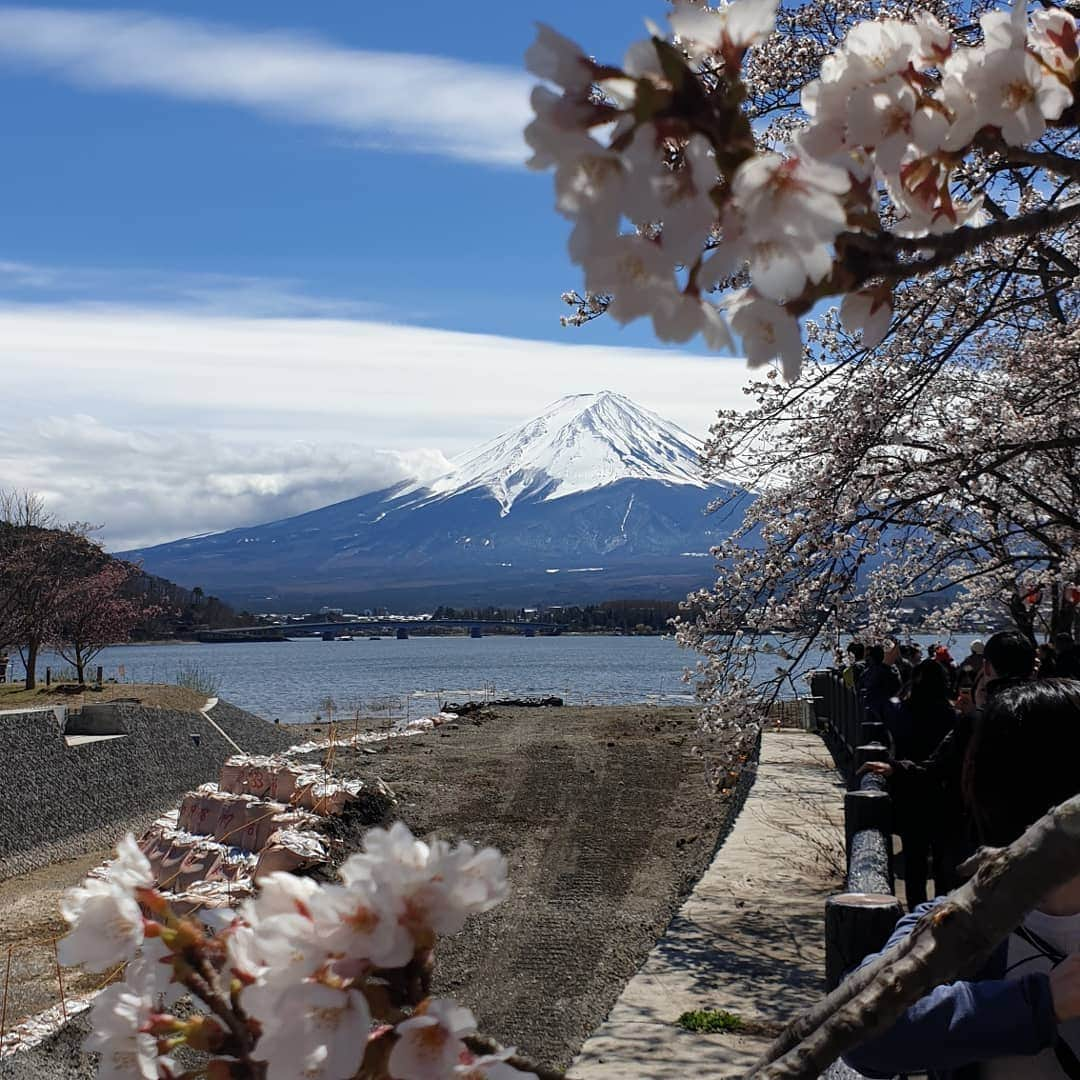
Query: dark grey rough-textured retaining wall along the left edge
[(60, 801)]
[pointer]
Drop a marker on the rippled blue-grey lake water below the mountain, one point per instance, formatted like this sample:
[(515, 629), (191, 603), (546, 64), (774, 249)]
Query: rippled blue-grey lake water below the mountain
[(290, 681)]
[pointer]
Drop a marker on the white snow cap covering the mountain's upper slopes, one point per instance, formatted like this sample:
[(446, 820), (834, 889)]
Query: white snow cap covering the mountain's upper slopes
[(580, 443)]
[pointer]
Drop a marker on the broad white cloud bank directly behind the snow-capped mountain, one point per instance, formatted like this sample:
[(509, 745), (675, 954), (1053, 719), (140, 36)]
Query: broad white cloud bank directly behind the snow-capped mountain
[(158, 424)]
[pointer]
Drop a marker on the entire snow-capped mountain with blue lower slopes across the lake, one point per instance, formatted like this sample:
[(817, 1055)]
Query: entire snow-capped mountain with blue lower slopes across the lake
[(595, 499)]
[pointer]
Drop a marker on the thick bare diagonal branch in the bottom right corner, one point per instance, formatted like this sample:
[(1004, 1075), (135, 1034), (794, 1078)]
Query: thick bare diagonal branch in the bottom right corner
[(956, 937)]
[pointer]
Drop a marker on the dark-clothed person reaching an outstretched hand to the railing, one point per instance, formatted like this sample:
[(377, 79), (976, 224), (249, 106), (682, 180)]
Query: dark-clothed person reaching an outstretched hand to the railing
[(937, 781)]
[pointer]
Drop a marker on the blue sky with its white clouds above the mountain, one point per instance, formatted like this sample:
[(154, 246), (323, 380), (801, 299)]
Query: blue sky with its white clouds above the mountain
[(187, 182)]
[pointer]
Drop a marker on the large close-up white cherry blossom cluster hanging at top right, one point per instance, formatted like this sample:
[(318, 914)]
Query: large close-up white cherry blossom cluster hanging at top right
[(893, 146)]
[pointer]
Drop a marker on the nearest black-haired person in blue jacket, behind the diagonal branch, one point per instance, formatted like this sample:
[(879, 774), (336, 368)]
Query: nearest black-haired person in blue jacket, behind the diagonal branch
[(1020, 1017)]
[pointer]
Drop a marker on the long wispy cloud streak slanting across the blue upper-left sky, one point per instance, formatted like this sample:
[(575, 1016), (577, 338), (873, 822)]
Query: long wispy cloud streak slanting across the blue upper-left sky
[(400, 102)]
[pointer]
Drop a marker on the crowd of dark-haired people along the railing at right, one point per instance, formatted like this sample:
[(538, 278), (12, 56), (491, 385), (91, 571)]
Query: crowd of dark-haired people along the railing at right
[(980, 751)]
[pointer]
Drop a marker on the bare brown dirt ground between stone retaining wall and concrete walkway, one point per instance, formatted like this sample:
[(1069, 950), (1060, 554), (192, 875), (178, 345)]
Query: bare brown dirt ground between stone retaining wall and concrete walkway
[(605, 819)]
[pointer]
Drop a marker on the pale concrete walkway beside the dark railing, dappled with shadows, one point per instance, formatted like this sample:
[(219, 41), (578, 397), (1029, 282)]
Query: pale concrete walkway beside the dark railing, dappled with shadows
[(750, 939)]
